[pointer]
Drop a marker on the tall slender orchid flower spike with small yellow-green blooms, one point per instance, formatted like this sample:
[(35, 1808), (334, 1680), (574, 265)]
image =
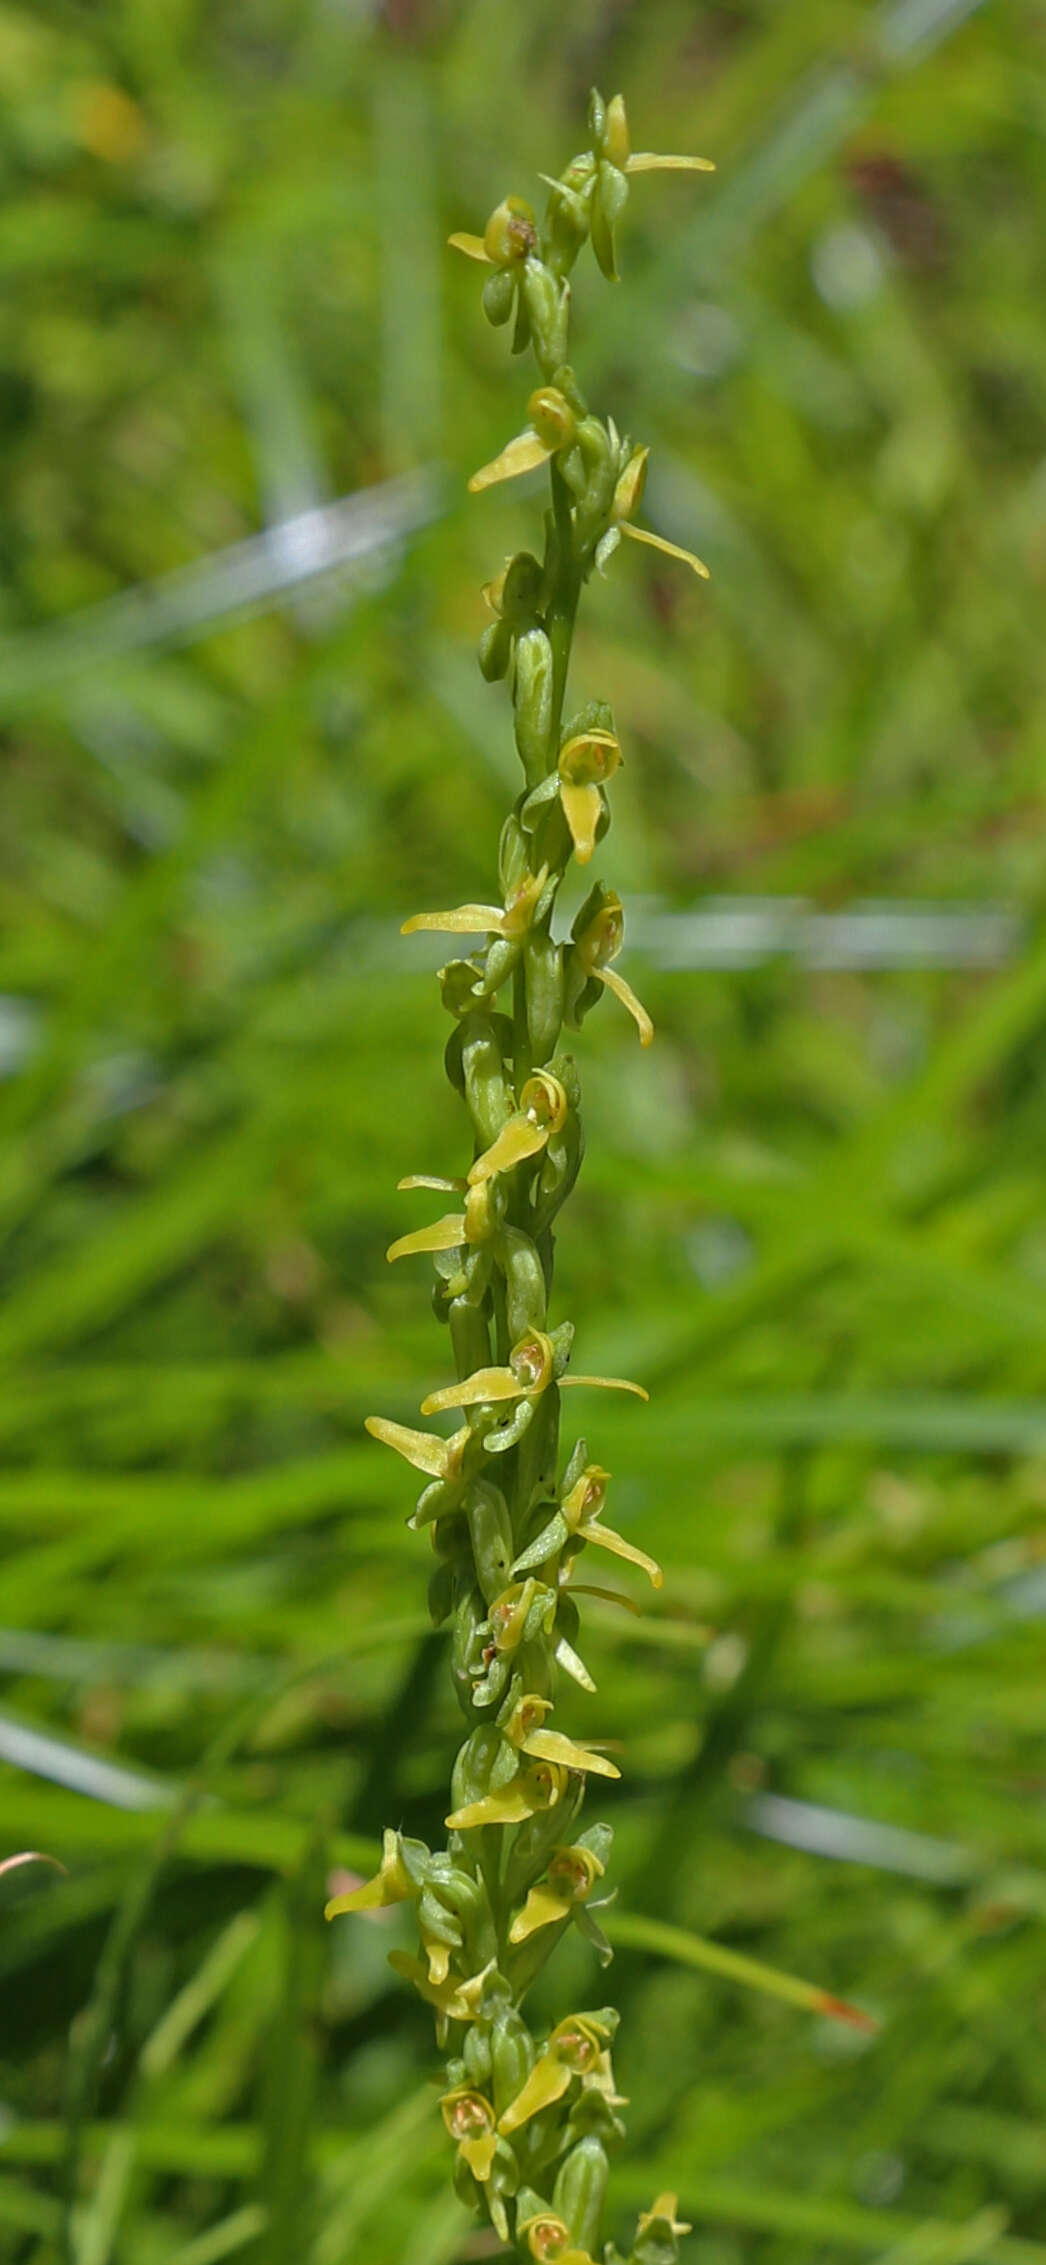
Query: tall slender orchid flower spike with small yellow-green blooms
[(531, 2114)]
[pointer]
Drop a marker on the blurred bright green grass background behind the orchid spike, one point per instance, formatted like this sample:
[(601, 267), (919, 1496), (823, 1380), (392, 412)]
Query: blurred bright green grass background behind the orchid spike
[(814, 1220)]
